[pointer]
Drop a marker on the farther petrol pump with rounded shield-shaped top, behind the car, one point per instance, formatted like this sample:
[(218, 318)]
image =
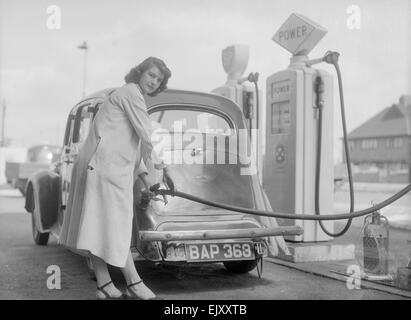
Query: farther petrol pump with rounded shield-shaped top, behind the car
[(241, 90)]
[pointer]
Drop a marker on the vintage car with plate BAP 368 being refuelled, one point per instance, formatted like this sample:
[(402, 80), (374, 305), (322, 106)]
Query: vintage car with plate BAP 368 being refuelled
[(181, 231)]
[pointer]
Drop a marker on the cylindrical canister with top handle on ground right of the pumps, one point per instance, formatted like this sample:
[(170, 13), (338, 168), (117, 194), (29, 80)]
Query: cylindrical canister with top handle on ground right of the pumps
[(376, 244)]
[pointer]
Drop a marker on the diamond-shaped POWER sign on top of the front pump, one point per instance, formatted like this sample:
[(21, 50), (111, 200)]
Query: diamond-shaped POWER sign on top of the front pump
[(299, 35)]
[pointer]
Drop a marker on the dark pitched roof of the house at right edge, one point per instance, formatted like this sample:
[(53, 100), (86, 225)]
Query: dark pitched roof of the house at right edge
[(390, 122)]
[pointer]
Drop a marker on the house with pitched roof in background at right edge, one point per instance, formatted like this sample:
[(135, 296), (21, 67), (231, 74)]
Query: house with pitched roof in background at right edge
[(380, 148)]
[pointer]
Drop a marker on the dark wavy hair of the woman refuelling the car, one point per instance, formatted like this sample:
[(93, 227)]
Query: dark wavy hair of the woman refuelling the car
[(135, 74)]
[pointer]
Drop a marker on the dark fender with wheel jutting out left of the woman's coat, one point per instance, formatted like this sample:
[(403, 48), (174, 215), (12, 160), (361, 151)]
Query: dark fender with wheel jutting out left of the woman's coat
[(42, 198)]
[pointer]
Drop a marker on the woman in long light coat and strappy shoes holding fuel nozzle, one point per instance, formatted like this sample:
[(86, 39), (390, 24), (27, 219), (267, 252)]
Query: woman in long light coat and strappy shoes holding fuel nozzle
[(99, 213)]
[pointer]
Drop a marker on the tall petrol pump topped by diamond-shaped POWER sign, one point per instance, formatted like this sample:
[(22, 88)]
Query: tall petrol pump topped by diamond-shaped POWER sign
[(291, 131)]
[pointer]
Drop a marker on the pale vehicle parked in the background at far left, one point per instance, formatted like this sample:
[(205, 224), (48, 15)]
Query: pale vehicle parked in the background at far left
[(39, 157)]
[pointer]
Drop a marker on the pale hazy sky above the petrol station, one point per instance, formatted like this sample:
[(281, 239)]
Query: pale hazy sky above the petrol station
[(41, 69)]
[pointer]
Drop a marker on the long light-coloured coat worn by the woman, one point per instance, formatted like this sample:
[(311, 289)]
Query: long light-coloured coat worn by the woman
[(99, 213)]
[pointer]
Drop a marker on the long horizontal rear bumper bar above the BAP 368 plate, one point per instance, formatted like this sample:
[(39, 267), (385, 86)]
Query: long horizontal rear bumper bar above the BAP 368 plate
[(218, 234)]
